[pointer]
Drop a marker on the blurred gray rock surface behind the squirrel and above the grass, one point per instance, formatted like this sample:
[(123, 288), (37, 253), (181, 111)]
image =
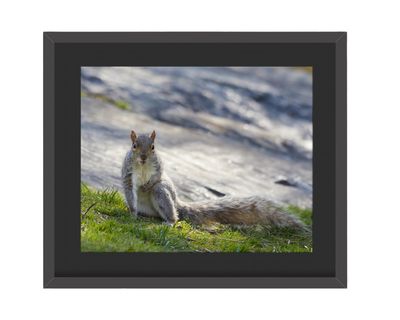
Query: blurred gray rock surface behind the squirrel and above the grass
[(220, 130)]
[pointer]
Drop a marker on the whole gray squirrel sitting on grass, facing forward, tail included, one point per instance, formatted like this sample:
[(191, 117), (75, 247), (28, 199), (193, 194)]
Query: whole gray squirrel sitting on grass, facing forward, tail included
[(150, 192)]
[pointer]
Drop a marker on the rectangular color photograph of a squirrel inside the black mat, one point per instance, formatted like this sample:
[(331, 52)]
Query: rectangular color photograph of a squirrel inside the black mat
[(196, 159)]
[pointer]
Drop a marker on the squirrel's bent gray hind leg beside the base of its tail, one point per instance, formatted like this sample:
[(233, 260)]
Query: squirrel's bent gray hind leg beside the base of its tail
[(164, 204)]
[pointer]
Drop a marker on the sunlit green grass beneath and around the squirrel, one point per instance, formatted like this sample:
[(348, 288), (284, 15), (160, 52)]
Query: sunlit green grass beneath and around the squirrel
[(107, 226)]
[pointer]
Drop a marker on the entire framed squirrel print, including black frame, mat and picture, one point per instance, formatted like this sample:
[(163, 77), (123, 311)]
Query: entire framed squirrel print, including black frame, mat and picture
[(195, 160)]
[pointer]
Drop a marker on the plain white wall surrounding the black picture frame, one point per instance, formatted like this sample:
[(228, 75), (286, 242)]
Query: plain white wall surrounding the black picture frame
[(374, 121)]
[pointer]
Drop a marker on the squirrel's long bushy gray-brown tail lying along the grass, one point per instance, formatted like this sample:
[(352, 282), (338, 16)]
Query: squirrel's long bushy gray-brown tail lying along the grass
[(245, 211)]
